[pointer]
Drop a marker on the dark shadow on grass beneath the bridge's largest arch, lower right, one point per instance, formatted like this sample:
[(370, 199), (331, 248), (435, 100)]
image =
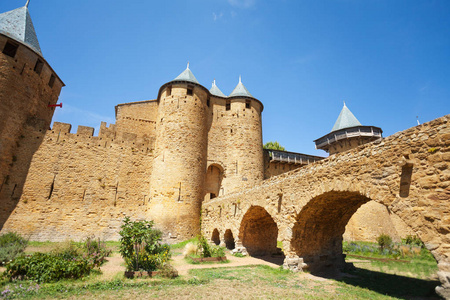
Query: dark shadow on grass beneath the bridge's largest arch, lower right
[(392, 285)]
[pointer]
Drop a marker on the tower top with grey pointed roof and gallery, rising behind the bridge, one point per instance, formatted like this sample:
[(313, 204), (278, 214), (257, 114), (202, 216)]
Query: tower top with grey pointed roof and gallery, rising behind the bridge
[(347, 133)]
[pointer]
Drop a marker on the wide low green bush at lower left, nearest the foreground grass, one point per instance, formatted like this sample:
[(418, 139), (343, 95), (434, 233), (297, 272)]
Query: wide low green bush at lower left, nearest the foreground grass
[(47, 267)]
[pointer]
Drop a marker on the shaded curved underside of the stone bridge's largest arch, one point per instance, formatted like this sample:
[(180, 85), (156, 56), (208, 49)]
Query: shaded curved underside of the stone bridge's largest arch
[(317, 233)]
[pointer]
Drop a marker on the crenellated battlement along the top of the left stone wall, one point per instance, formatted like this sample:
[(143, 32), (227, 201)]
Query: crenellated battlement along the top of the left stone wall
[(108, 137)]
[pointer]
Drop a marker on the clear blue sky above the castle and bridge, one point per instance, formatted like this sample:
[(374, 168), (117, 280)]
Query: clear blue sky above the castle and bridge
[(388, 59)]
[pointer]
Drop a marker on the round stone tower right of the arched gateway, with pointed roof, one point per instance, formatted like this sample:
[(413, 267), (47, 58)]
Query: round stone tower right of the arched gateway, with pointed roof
[(244, 142)]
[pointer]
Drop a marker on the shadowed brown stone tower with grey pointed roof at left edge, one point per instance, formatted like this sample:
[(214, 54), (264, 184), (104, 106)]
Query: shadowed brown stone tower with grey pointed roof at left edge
[(28, 88)]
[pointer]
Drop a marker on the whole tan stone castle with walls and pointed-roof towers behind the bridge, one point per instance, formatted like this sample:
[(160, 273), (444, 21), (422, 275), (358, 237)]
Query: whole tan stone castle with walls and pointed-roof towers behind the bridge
[(160, 160)]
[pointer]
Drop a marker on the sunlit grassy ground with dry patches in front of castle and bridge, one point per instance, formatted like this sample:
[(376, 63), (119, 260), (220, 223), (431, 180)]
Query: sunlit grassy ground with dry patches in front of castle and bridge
[(370, 280)]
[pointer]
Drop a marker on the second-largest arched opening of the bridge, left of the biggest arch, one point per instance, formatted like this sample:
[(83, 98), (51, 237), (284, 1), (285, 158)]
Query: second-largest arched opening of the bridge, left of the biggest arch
[(258, 232)]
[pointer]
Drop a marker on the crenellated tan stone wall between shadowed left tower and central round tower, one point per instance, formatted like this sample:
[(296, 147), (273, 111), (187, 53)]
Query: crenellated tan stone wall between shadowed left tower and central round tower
[(80, 185)]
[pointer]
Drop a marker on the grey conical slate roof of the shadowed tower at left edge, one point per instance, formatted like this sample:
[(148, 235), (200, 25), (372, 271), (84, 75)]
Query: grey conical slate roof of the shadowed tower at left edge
[(17, 24)]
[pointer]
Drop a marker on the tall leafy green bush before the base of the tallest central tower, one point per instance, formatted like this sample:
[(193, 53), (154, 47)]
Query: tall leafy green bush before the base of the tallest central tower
[(140, 246)]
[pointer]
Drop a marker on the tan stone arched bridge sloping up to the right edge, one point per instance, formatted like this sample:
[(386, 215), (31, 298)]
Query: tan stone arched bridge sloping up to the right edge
[(307, 209)]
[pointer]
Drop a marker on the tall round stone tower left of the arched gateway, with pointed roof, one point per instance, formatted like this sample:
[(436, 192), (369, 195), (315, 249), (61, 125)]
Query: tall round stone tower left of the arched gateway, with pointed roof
[(178, 176)]
